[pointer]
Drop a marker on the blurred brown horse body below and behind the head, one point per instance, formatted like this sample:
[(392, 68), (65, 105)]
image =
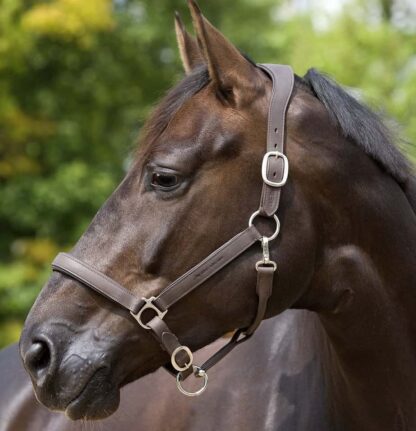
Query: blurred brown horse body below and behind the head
[(272, 383)]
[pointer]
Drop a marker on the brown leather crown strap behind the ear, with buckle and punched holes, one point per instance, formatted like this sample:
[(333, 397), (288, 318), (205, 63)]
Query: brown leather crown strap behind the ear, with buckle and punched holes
[(283, 80)]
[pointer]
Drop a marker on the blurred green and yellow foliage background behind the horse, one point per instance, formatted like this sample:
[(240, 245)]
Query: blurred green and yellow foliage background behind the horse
[(78, 78)]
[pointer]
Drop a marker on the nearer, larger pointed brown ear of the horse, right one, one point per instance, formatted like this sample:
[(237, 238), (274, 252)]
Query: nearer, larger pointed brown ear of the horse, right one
[(227, 67)]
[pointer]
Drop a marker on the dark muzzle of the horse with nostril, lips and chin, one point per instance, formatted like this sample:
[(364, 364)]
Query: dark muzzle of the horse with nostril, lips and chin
[(70, 377)]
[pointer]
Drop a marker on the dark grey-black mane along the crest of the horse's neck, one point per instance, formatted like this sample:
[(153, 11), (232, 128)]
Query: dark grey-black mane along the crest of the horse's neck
[(365, 128)]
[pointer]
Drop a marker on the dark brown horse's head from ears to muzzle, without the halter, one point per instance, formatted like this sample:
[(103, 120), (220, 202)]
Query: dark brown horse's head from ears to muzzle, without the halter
[(194, 183)]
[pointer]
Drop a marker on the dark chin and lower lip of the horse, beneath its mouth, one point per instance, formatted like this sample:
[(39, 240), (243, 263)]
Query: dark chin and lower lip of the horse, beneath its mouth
[(97, 400)]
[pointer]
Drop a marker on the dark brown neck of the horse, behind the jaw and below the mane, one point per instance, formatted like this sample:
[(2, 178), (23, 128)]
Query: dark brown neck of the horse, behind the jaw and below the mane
[(363, 291)]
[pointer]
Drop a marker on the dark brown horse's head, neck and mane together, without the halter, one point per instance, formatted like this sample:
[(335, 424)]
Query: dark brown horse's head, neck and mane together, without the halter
[(346, 249)]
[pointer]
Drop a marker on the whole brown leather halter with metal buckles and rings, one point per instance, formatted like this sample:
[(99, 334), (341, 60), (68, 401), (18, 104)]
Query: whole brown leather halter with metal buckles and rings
[(275, 169)]
